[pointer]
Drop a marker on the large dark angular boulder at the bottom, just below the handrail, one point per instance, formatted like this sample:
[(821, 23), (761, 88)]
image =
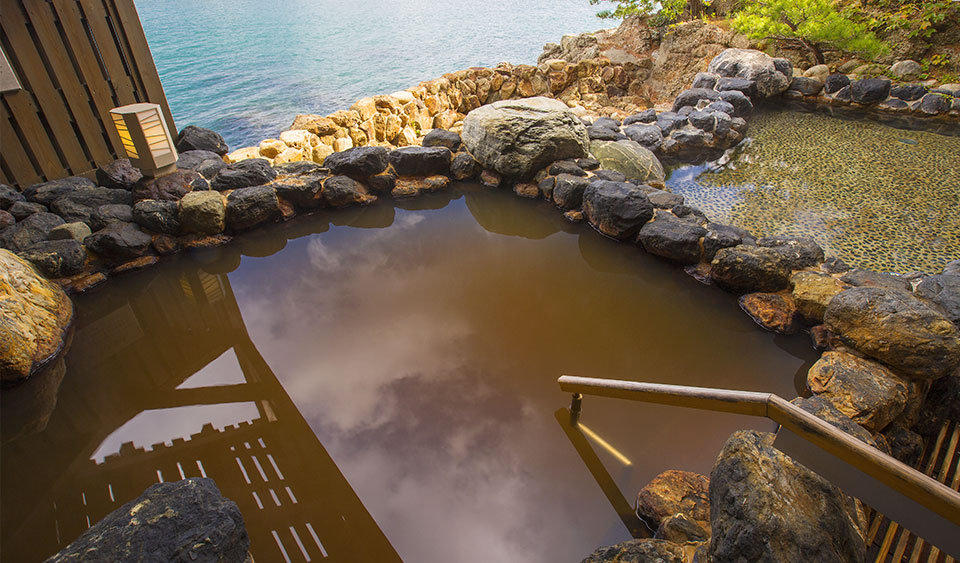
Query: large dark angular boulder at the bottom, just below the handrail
[(766, 507)]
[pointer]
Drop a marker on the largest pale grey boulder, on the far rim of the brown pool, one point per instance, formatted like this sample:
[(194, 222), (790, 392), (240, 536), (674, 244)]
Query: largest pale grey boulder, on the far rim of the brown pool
[(519, 137)]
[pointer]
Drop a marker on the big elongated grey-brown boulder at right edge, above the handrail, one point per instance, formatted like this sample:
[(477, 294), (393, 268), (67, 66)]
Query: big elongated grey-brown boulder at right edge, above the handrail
[(896, 328)]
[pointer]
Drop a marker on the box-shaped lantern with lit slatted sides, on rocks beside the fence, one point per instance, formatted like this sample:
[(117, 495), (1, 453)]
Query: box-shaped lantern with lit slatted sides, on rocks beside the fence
[(145, 138)]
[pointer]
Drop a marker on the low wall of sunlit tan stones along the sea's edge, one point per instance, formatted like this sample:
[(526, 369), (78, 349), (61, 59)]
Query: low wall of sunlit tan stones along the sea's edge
[(402, 118)]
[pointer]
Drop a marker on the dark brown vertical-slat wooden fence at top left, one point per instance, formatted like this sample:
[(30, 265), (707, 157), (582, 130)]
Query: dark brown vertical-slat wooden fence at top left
[(74, 61)]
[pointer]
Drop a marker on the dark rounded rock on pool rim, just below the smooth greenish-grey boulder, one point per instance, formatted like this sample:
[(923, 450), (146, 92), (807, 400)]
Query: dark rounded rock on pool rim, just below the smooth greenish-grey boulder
[(616, 209)]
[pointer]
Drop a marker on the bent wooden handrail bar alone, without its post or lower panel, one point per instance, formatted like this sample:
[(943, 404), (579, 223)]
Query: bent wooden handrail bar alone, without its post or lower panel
[(925, 491)]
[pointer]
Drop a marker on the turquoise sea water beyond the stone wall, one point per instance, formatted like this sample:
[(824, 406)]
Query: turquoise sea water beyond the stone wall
[(245, 68)]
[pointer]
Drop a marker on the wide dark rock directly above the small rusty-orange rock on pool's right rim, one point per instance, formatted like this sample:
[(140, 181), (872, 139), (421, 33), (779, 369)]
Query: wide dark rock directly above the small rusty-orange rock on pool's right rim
[(745, 269)]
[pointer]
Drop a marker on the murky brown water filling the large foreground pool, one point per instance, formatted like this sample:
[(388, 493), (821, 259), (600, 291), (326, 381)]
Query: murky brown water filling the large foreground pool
[(381, 382)]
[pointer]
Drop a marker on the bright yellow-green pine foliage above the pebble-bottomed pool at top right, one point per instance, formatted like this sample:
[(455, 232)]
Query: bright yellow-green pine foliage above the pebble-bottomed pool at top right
[(811, 23)]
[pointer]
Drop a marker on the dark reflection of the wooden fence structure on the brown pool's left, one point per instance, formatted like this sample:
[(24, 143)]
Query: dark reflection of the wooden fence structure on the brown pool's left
[(296, 503)]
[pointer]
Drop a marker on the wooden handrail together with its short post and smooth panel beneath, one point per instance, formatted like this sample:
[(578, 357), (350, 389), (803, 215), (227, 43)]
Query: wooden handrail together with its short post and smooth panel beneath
[(921, 504)]
